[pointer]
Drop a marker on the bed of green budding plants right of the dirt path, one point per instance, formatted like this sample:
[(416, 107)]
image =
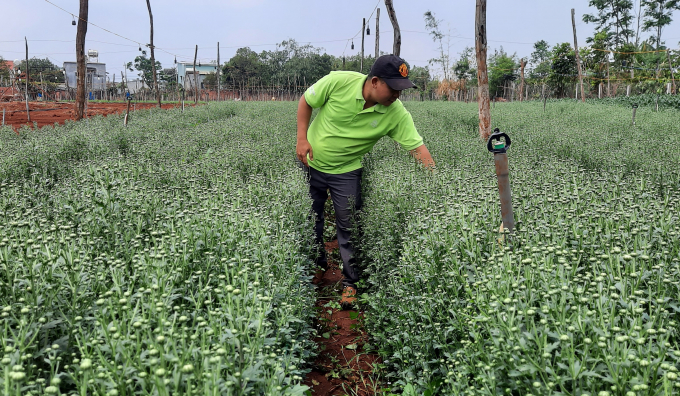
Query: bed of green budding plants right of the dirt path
[(583, 300)]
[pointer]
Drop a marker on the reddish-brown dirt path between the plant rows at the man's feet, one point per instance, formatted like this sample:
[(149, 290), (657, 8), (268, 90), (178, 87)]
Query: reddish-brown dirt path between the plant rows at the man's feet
[(343, 366)]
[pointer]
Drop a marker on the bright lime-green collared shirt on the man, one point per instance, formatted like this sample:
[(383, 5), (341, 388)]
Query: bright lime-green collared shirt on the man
[(343, 131)]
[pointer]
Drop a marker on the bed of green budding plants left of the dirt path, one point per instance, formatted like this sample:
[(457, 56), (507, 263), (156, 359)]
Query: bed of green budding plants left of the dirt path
[(168, 257)]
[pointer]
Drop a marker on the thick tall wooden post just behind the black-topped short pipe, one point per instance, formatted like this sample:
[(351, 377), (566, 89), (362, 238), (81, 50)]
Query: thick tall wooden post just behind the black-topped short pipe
[(482, 75)]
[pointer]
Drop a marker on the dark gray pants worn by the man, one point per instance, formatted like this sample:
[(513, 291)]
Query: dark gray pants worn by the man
[(345, 192)]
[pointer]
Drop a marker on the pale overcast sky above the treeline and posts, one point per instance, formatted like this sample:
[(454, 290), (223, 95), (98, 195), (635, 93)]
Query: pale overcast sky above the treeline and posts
[(260, 24)]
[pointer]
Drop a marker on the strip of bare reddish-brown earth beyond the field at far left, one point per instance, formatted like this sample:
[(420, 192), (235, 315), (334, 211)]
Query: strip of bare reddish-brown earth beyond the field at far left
[(47, 113)]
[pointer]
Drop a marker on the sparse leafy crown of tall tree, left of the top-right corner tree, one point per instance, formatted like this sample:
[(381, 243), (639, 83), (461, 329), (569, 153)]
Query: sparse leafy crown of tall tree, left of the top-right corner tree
[(614, 17)]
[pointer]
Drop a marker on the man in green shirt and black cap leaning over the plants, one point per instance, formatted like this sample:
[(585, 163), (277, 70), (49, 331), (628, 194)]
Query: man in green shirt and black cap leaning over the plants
[(355, 112)]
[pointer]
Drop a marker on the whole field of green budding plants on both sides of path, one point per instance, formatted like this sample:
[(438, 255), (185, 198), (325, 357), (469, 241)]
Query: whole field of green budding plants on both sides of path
[(173, 256)]
